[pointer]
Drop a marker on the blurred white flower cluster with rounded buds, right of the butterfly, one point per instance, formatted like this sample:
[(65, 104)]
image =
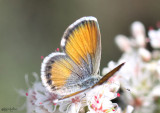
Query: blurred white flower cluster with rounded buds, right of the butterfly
[(140, 77)]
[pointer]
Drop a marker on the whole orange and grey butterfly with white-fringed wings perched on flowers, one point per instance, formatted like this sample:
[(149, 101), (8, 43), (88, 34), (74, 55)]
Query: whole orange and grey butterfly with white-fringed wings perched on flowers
[(76, 69)]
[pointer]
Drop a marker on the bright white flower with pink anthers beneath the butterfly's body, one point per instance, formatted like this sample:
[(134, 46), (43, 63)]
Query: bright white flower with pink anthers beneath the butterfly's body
[(98, 99)]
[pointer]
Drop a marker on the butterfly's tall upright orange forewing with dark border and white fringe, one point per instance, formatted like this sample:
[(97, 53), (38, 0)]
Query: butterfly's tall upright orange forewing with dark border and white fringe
[(81, 42)]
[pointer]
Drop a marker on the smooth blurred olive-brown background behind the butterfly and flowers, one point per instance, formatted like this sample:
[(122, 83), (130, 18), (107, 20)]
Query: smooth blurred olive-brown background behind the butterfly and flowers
[(30, 29)]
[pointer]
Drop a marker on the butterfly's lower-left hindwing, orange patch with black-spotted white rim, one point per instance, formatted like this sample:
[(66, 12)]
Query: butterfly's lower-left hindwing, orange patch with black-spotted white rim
[(60, 73)]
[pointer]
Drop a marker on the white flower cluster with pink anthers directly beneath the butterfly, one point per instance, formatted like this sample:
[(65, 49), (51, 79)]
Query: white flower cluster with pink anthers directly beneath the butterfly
[(96, 100)]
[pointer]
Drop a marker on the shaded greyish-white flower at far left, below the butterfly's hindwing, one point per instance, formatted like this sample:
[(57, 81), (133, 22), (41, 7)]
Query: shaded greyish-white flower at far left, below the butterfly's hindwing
[(39, 100)]
